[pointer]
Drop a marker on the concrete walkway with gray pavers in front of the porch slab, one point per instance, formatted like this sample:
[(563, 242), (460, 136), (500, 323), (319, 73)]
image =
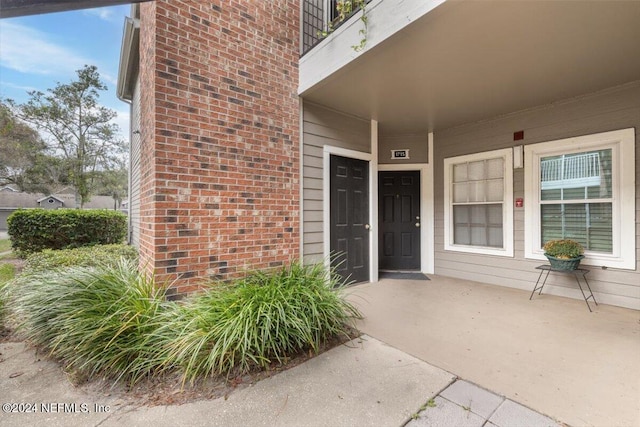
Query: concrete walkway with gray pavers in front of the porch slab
[(362, 383)]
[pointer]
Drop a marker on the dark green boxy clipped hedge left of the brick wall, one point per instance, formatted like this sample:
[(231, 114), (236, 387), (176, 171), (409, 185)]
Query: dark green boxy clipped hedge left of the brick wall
[(32, 230)]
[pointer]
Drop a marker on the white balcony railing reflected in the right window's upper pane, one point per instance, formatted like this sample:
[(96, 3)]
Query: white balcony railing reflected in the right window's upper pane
[(582, 170)]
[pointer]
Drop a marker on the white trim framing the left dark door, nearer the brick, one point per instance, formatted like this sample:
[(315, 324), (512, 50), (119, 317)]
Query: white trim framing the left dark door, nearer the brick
[(327, 151)]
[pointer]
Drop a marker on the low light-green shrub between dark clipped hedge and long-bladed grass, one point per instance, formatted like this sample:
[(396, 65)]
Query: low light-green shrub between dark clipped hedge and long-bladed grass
[(91, 256)]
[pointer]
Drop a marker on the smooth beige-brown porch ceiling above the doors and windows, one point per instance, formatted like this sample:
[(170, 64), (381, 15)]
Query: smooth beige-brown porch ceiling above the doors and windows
[(468, 61)]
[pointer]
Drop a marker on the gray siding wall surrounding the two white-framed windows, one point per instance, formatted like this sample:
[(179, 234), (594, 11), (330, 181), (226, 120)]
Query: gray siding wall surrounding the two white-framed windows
[(613, 109)]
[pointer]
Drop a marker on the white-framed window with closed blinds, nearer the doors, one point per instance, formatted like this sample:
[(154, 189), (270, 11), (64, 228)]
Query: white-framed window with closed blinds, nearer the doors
[(478, 203)]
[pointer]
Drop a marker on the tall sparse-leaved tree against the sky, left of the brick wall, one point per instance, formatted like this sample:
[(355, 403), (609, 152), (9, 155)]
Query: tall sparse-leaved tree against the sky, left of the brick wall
[(76, 128)]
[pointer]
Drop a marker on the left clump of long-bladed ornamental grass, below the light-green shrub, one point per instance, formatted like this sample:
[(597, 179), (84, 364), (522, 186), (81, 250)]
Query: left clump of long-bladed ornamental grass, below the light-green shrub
[(95, 320)]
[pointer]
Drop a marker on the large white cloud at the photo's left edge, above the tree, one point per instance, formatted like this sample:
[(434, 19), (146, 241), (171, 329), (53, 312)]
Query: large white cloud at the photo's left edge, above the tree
[(28, 50)]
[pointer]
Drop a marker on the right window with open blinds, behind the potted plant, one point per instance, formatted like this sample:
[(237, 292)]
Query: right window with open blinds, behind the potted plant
[(583, 189)]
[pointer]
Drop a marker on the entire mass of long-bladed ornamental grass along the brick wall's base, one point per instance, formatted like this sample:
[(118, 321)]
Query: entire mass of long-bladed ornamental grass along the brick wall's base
[(112, 321)]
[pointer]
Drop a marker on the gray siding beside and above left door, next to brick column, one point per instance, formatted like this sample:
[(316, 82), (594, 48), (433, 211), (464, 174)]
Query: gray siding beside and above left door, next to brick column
[(322, 127)]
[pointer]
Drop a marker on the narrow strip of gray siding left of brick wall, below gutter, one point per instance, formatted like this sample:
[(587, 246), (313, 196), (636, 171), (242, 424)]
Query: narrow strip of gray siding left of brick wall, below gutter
[(134, 184)]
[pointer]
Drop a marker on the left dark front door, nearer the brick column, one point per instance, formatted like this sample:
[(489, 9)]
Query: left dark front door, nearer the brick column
[(349, 204)]
